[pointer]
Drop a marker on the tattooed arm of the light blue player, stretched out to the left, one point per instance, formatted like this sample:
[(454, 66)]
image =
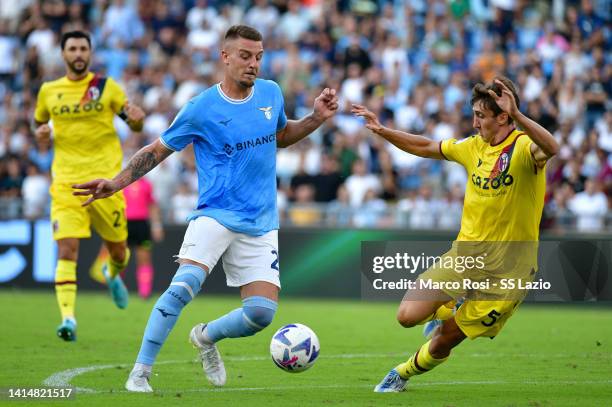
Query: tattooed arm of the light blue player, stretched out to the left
[(141, 163)]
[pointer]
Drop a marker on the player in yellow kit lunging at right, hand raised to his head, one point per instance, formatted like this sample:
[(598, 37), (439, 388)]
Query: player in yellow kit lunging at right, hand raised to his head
[(503, 204)]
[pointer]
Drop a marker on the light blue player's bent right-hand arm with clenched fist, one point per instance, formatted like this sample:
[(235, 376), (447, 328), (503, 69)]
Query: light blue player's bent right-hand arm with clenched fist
[(325, 106)]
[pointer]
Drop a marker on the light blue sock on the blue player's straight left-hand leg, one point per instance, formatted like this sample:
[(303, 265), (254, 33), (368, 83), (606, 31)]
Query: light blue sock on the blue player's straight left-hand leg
[(183, 288)]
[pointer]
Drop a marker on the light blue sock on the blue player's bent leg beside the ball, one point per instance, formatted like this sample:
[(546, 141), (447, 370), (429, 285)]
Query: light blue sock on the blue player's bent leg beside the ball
[(256, 314)]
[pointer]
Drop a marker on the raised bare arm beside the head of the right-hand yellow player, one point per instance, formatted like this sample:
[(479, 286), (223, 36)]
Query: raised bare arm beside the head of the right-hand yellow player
[(544, 144)]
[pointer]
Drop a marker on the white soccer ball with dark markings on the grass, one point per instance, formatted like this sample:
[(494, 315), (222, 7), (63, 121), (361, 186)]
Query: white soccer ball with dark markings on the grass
[(294, 348)]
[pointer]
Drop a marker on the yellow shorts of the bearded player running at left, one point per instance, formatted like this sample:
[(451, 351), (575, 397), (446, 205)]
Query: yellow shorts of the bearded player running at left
[(71, 220)]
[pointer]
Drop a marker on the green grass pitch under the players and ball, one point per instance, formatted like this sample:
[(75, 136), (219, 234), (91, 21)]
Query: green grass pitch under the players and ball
[(553, 355)]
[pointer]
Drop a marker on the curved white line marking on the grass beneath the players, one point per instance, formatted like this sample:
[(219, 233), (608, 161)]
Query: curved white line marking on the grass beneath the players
[(63, 378)]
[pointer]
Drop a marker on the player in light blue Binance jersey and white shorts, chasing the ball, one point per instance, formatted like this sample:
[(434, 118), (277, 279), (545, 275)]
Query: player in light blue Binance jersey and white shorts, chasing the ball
[(235, 127)]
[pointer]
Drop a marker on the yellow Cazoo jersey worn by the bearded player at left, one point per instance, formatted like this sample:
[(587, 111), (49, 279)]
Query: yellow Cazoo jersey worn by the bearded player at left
[(85, 141)]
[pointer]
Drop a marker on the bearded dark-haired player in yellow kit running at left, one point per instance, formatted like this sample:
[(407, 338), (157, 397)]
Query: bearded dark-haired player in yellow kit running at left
[(81, 107)]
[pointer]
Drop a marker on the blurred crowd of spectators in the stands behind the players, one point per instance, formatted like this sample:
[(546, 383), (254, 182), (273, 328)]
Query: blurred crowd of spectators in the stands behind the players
[(413, 62)]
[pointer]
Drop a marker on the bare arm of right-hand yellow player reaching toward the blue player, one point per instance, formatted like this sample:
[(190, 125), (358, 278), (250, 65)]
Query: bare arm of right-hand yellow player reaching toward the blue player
[(411, 143)]
